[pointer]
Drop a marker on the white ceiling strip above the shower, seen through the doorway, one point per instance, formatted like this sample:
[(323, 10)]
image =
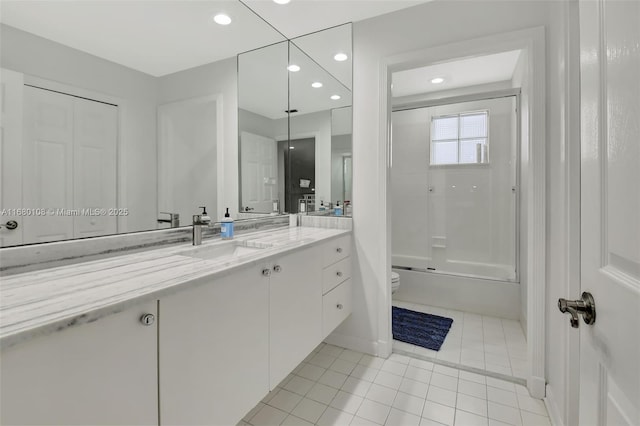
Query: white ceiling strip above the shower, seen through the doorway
[(456, 74)]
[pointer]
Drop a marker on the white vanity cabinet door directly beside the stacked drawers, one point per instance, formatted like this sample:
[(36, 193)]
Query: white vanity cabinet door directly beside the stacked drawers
[(295, 311)]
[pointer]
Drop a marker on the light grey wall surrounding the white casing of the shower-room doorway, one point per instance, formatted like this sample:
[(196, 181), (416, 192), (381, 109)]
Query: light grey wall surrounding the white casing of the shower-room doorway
[(421, 27)]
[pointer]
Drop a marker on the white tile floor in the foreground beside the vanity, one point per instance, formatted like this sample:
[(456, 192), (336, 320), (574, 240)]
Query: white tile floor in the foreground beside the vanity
[(335, 386)]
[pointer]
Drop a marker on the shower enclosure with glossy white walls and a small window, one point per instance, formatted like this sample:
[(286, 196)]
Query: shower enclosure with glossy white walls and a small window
[(454, 181)]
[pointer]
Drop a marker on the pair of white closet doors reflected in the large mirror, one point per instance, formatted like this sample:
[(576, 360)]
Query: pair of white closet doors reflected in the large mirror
[(68, 167)]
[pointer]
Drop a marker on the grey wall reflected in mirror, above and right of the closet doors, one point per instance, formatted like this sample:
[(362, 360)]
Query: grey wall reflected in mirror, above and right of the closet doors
[(136, 96)]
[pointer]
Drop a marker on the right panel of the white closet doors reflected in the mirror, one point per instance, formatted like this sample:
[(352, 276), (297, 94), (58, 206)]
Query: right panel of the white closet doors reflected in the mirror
[(95, 132)]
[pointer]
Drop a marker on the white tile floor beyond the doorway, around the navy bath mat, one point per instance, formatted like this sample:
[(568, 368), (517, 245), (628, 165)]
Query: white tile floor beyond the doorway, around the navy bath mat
[(479, 341)]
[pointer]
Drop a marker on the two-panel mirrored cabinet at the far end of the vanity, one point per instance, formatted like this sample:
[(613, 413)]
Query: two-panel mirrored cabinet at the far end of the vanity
[(294, 125)]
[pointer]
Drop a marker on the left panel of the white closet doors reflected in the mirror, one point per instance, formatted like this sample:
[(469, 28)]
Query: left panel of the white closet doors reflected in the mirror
[(47, 167)]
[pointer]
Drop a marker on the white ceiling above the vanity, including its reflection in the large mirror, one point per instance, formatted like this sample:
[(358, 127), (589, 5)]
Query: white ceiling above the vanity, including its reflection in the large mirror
[(160, 37)]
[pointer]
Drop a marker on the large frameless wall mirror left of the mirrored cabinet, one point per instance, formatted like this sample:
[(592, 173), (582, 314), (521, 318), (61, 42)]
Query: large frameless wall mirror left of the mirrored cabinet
[(105, 132)]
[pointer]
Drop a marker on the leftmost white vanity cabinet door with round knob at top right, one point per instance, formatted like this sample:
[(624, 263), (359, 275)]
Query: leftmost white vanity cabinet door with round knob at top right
[(101, 373)]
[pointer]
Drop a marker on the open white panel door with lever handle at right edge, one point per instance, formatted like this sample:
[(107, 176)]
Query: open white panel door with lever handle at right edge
[(610, 257)]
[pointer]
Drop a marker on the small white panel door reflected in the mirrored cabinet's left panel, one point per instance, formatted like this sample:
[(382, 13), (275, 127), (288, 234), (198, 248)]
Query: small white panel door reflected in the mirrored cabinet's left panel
[(259, 166)]
